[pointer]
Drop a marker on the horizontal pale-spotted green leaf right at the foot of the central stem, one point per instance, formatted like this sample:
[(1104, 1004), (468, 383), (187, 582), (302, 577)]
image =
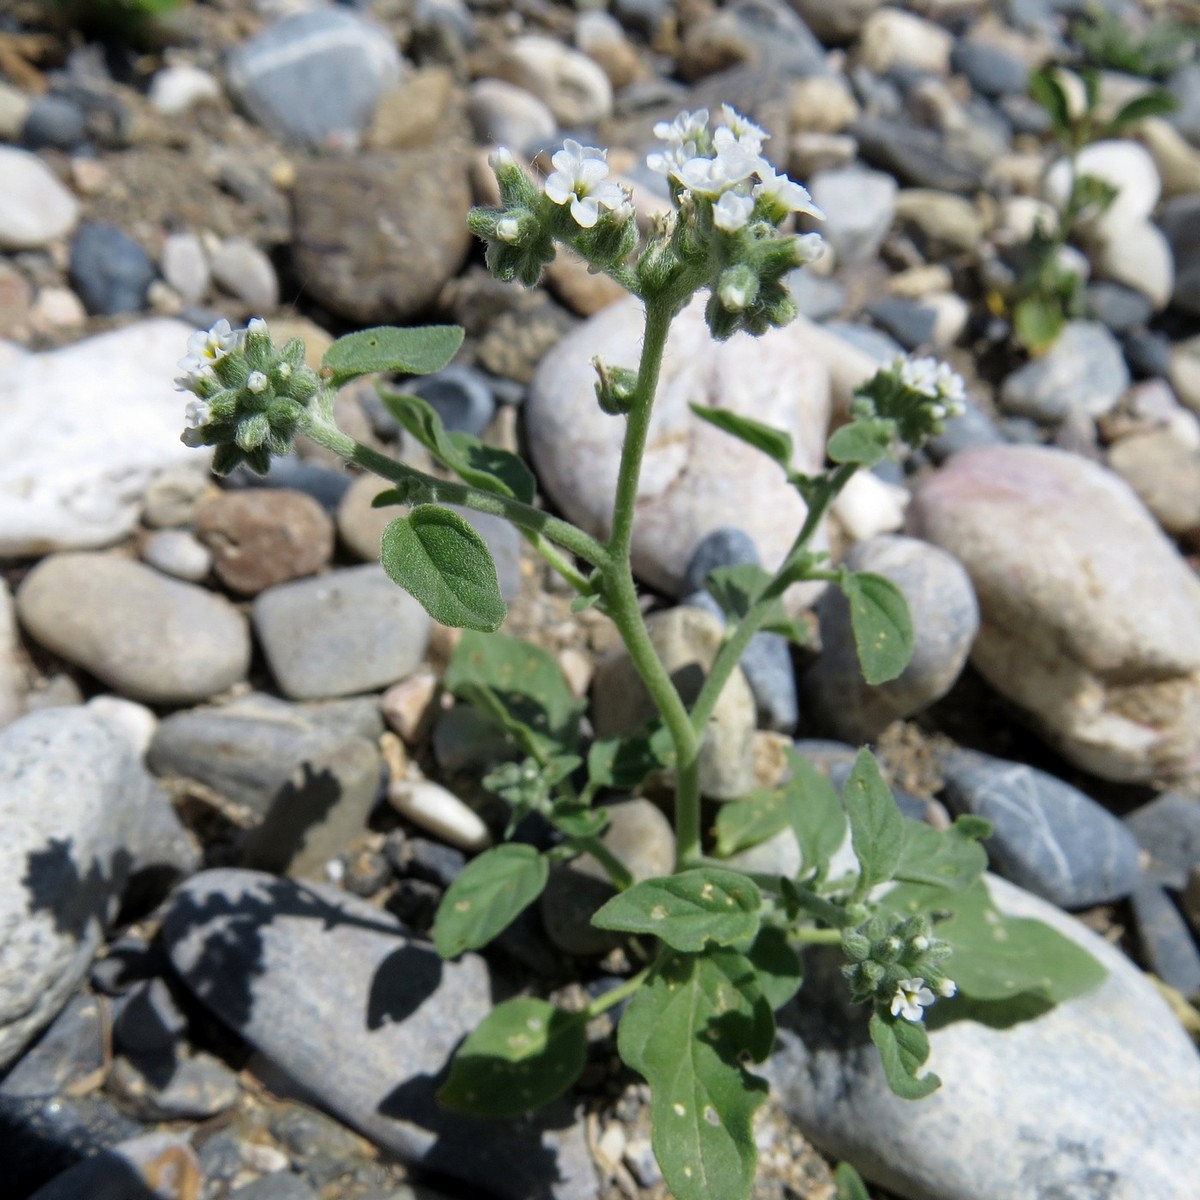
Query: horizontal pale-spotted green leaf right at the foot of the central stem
[(688, 910)]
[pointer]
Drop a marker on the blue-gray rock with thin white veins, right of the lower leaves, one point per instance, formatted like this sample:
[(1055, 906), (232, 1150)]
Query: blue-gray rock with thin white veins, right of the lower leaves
[(1048, 838)]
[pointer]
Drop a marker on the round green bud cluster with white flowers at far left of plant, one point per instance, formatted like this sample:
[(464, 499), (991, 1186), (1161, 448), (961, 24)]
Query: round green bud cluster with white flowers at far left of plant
[(249, 399)]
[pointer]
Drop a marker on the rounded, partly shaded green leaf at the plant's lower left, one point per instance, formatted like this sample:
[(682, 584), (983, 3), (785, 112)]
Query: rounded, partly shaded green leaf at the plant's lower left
[(525, 1054)]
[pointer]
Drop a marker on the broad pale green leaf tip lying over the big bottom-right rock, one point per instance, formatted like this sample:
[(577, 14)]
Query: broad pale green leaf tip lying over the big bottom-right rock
[(1000, 958)]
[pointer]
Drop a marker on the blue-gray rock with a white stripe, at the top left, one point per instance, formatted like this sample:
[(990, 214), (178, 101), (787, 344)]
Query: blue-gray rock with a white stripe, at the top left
[(316, 77)]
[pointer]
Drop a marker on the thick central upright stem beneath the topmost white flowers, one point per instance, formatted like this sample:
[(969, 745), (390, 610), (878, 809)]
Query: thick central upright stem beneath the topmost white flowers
[(621, 593)]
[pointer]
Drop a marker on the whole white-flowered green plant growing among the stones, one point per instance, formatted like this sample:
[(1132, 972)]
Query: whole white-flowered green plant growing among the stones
[(904, 904)]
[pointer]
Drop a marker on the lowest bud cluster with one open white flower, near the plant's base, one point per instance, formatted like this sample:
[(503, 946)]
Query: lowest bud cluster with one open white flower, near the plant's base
[(897, 964)]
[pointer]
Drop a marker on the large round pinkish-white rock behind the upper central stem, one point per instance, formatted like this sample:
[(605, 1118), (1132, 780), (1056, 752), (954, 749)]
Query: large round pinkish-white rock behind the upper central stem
[(695, 478)]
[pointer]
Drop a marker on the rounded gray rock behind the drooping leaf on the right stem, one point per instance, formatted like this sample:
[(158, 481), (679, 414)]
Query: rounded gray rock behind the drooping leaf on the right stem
[(945, 617)]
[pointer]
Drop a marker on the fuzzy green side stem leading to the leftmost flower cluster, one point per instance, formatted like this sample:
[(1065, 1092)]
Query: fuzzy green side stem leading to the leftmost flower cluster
[(525, 517)]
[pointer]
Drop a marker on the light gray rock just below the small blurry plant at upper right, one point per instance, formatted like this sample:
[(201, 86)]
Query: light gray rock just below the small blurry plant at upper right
[(1083, 371)]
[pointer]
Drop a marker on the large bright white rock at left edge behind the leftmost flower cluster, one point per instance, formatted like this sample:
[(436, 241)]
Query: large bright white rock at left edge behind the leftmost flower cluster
[(82, 433)]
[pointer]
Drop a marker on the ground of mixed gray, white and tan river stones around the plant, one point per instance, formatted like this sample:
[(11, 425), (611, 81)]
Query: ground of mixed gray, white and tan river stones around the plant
[(232, 790)]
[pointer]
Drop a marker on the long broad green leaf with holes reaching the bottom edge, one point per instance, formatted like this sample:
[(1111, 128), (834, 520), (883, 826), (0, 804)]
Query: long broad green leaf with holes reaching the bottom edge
[(687, 1031)]
